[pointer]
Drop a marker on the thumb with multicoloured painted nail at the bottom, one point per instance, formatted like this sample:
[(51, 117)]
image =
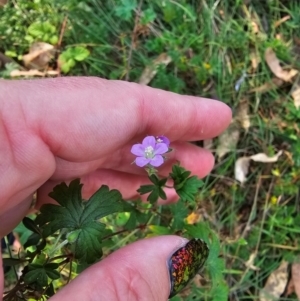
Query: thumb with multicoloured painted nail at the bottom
[(139, 271)]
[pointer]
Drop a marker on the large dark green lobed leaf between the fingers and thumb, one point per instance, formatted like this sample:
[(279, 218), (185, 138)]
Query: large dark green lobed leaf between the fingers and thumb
[(80, 216)]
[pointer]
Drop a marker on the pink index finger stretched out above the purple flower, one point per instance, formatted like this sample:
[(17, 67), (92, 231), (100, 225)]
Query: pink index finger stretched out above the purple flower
[(80, 118)]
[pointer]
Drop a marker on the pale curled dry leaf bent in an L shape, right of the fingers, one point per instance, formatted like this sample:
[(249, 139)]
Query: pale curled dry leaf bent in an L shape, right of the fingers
[(241, 166)]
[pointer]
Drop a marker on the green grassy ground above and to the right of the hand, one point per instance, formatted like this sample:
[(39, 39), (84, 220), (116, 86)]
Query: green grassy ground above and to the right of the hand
[(211, 44)]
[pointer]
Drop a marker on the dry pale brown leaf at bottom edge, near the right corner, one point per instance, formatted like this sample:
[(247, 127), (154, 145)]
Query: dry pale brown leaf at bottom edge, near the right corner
[(275, 284)]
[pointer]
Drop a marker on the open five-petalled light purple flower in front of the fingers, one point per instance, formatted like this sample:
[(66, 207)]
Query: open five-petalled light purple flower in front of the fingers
[(149, 152)]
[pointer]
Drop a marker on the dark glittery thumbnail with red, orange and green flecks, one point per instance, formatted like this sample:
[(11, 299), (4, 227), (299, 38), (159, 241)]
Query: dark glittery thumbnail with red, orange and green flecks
[(185, 263)]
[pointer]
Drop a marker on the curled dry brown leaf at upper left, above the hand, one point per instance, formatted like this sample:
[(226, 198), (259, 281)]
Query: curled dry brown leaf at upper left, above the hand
[(39, 55)]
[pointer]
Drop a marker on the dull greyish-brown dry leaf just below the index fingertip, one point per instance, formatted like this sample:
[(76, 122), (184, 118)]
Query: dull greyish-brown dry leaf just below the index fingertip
[(228, 140)]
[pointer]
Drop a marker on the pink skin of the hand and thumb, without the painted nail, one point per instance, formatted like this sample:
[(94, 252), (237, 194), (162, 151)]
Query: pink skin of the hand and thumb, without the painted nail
[(55, 130)]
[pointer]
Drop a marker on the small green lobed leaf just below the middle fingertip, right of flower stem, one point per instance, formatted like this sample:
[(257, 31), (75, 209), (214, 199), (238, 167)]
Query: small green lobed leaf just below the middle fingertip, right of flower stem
[(185, 186)]
